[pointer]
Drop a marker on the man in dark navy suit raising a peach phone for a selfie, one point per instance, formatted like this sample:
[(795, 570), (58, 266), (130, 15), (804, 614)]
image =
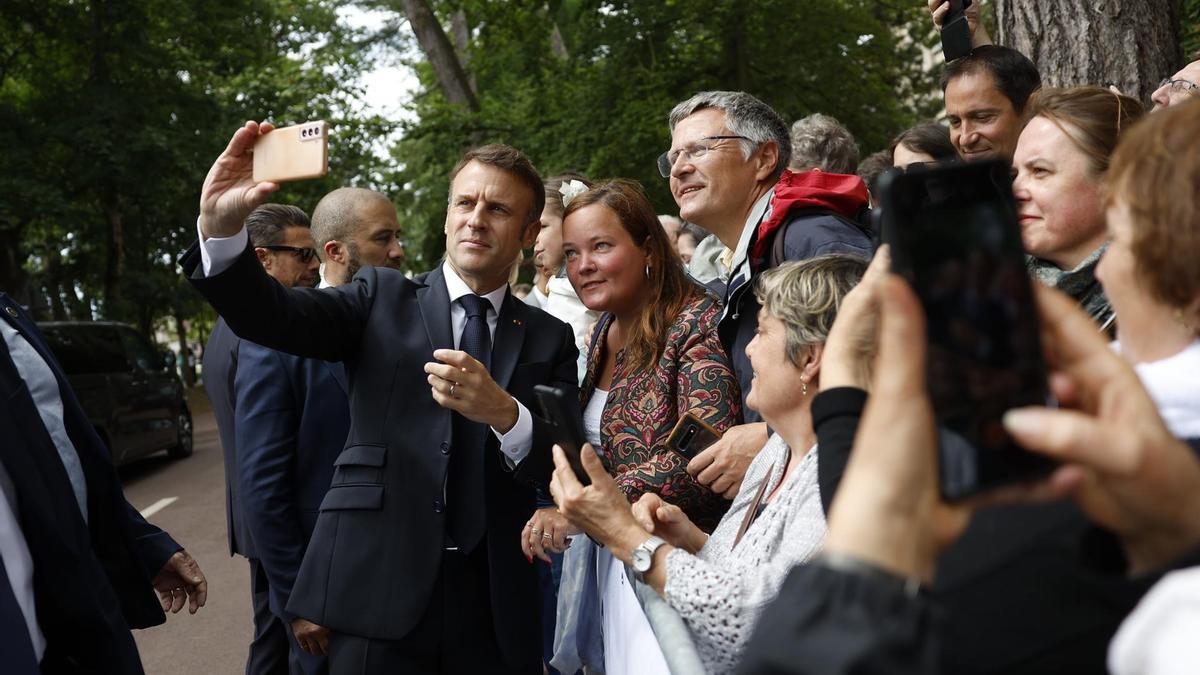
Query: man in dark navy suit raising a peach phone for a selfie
[(416, 564)]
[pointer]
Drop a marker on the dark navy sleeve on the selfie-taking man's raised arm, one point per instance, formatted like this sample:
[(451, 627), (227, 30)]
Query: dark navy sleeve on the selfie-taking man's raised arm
[(322, 324)]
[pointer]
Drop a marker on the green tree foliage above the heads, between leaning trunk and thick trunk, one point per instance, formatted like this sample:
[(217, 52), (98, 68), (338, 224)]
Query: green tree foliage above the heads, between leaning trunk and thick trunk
[(598, 100)]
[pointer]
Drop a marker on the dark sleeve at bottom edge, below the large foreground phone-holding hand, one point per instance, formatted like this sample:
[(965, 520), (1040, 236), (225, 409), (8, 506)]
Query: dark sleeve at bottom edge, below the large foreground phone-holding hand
[(832, 622)]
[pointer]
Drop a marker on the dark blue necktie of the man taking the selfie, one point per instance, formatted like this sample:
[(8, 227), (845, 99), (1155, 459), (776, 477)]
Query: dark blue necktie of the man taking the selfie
[(467, 513)]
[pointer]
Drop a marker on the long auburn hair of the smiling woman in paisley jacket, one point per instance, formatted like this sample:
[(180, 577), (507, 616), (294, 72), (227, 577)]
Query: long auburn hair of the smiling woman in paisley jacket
[(668, 286)]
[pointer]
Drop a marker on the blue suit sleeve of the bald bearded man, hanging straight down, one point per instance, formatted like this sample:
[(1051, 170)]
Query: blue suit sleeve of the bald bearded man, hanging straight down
[(267, 422)]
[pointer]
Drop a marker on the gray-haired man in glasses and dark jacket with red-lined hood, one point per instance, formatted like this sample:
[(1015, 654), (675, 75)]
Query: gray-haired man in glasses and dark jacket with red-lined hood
[(728, 152)]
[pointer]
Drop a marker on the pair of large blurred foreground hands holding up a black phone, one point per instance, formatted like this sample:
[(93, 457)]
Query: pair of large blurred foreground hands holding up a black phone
[(1119, 462)]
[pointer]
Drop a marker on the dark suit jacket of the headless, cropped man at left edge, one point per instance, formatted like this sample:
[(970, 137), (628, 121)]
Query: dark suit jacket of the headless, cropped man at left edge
[(92, 581)]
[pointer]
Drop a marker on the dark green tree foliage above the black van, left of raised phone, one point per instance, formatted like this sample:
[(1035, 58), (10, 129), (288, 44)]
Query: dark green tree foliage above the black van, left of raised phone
[(111, 114)]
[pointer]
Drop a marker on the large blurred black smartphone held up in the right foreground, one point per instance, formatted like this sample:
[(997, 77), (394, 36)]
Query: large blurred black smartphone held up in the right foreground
[(955, 236)]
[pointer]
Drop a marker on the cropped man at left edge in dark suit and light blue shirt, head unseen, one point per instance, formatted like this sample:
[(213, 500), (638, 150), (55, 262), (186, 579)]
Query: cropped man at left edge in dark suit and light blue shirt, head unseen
[(79, 565)]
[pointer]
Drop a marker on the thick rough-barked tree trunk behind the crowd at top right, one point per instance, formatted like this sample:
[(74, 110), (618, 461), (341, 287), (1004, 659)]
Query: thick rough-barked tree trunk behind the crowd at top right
[(1129, 44)]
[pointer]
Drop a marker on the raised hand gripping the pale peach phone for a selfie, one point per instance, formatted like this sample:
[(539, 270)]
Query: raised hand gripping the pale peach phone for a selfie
[(230, 192)]
